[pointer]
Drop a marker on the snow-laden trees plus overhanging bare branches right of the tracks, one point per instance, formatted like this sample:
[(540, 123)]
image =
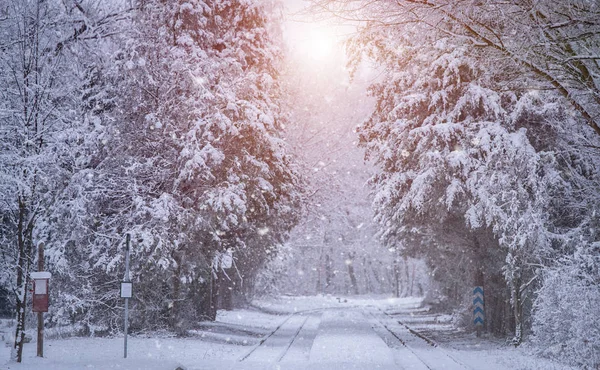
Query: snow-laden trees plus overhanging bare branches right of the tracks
[(474, 129)]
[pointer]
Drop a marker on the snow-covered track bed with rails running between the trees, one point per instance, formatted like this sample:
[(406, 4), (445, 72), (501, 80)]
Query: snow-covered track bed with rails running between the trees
[(350, 338)]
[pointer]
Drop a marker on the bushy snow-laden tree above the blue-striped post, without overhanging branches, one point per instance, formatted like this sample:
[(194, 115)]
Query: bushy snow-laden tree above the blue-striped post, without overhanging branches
[(447, 145)]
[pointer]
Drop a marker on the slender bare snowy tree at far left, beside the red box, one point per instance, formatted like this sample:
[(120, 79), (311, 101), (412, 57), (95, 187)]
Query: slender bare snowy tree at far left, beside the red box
[(42, 136)]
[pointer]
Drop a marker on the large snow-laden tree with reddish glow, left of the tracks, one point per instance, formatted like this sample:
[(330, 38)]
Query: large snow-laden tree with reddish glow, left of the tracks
[(192, 164)]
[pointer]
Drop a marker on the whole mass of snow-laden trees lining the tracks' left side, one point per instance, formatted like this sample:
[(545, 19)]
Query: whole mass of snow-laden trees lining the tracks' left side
[(160, 120)]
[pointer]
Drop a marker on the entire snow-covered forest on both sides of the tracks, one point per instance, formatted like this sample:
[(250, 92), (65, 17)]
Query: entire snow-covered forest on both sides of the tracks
[(170, 121)]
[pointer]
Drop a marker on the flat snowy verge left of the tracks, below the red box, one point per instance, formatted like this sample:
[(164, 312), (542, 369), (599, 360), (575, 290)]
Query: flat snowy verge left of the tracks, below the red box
[(210, 346)]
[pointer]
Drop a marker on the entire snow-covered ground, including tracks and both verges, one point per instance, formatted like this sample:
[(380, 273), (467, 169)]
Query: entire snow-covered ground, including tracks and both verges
[(322, 332)]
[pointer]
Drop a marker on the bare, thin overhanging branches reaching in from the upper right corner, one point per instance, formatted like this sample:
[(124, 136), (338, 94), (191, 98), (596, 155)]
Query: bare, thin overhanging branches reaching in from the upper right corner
[(554, 41)]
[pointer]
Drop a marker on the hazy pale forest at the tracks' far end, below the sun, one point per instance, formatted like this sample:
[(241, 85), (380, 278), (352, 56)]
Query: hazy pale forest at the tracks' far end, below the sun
[(335, 249)]
